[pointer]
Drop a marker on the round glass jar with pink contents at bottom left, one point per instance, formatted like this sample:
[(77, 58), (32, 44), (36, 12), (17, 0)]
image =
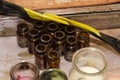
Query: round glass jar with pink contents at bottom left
[(24, 71)]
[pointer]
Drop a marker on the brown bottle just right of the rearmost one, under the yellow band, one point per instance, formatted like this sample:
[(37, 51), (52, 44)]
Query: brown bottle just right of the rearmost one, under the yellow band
[(52, 27)]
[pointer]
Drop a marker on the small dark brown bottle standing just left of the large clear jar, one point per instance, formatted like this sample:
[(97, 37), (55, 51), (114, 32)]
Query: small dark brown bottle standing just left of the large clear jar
[(70, 47)]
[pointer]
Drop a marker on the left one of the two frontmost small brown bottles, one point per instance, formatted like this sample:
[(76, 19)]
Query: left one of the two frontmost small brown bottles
[(40, 53)]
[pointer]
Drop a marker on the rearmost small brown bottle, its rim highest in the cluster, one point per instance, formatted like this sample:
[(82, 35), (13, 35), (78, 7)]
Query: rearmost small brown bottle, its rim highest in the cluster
[(39, 25)]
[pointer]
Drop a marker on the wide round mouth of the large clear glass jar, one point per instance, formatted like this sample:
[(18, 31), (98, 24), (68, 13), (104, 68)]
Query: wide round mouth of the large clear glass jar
[(90, 65)]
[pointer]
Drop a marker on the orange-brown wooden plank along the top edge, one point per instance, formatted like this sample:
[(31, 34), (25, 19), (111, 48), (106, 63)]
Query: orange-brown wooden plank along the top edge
[(48, 4)]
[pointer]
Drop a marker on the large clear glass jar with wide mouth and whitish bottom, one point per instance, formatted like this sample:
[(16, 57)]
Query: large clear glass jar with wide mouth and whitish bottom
[(88, 64)]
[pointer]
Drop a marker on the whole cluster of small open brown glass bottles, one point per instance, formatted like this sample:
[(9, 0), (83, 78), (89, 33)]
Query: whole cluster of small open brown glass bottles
[(48, 41)]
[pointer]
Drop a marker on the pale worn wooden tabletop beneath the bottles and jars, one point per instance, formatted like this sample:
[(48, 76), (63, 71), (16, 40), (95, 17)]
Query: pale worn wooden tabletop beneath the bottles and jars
[(11, 54)]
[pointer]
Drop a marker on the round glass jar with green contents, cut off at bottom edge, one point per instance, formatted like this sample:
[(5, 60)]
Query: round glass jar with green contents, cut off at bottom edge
[(53, 74)]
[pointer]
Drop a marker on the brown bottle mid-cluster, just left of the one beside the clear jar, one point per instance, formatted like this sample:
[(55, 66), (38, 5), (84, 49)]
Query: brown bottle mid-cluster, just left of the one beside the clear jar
[(59, 40)]
